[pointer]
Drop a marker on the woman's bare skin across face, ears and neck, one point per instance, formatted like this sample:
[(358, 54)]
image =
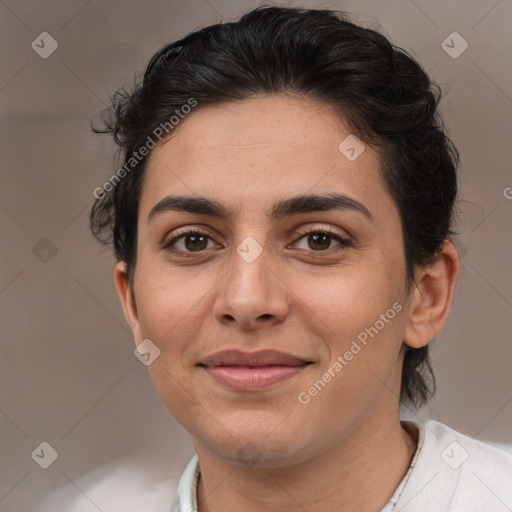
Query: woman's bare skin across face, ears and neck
[(346, 449)]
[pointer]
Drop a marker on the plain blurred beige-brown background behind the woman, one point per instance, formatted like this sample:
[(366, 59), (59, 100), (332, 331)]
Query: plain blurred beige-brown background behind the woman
[(68, 375)]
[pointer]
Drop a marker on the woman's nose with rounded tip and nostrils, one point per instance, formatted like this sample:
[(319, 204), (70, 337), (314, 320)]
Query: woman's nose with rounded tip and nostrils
[(252, 296)]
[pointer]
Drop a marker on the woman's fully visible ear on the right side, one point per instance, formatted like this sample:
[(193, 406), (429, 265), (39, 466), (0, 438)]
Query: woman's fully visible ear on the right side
[(431, 297)]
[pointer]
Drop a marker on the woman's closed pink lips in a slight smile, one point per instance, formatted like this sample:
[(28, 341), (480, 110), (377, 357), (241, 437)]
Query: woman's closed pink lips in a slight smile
[(243, 371)]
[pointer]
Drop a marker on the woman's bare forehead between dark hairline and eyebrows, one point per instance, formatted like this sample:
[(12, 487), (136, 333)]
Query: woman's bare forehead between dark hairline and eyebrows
[(244, 152)]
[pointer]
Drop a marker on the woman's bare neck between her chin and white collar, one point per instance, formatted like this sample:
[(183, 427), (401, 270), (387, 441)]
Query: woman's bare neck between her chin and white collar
[(360, 472)]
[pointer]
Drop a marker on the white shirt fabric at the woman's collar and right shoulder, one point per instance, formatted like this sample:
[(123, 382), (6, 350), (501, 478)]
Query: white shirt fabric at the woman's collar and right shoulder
[(449, 472)]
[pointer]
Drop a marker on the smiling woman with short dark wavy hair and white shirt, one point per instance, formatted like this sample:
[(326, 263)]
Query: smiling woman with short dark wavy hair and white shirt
[(281, 224)]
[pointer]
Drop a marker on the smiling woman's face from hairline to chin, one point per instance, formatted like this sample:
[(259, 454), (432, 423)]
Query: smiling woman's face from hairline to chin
[(259, 269)]
